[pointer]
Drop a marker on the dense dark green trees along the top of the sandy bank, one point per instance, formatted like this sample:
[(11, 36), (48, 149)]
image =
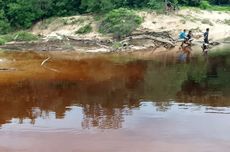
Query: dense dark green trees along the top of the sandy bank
[(22, 14)]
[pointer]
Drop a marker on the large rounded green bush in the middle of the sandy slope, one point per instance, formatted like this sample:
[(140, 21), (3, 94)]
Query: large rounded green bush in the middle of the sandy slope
[(120, 22)]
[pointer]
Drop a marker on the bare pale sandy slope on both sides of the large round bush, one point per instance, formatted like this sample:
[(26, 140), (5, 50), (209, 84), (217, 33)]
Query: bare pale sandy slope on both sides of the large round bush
[(195, 20)]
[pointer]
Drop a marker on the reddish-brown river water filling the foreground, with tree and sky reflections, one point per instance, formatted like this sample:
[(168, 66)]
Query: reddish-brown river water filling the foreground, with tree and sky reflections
[(111, 104)]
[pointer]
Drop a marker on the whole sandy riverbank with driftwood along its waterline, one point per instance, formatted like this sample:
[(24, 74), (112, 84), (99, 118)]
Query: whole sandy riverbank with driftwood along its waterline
[(157, 33)]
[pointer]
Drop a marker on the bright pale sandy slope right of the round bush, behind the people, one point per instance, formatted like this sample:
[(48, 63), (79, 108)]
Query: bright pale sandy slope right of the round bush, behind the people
[(195, 20)]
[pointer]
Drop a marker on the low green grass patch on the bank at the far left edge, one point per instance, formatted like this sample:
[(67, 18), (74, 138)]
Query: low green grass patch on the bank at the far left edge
[(17, 36)]
